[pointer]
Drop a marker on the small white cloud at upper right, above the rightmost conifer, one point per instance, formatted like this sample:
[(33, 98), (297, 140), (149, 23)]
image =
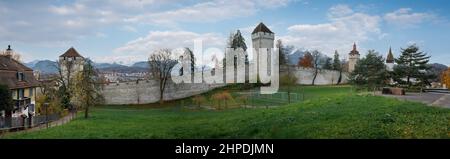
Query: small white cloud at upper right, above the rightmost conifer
[(404, 17)]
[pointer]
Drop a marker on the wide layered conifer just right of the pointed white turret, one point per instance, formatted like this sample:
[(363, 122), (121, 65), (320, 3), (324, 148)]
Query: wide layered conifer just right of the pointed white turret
[(412, 66)]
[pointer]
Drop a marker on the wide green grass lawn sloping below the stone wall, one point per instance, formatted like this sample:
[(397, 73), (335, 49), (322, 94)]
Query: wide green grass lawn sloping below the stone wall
[(326, 112)]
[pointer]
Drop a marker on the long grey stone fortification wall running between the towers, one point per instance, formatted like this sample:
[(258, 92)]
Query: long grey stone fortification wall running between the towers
[(148, 91)]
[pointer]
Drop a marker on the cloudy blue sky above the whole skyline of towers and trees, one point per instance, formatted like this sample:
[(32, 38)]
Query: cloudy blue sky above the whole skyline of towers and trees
[(129, 31)]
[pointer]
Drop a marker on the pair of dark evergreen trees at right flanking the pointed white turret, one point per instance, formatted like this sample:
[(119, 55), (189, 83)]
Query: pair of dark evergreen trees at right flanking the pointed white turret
[(411, 71)]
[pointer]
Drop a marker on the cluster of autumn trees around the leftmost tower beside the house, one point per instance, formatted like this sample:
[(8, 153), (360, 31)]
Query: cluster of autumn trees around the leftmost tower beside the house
[(74, 90)]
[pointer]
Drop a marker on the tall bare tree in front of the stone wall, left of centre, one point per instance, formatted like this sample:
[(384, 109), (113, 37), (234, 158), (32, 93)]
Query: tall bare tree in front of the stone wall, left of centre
[(161, 66)]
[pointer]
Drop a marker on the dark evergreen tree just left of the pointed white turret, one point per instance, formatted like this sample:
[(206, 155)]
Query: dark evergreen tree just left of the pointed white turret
[(370, 71)]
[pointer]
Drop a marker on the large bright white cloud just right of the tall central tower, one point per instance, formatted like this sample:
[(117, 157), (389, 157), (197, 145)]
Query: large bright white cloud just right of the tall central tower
[(343, 28)]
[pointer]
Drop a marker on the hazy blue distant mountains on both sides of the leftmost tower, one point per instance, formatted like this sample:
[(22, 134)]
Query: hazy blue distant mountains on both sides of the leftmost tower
[(49, 67)]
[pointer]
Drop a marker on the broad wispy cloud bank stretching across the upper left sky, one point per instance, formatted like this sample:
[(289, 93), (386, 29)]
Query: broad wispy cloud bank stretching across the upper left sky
[(53, 22)]
